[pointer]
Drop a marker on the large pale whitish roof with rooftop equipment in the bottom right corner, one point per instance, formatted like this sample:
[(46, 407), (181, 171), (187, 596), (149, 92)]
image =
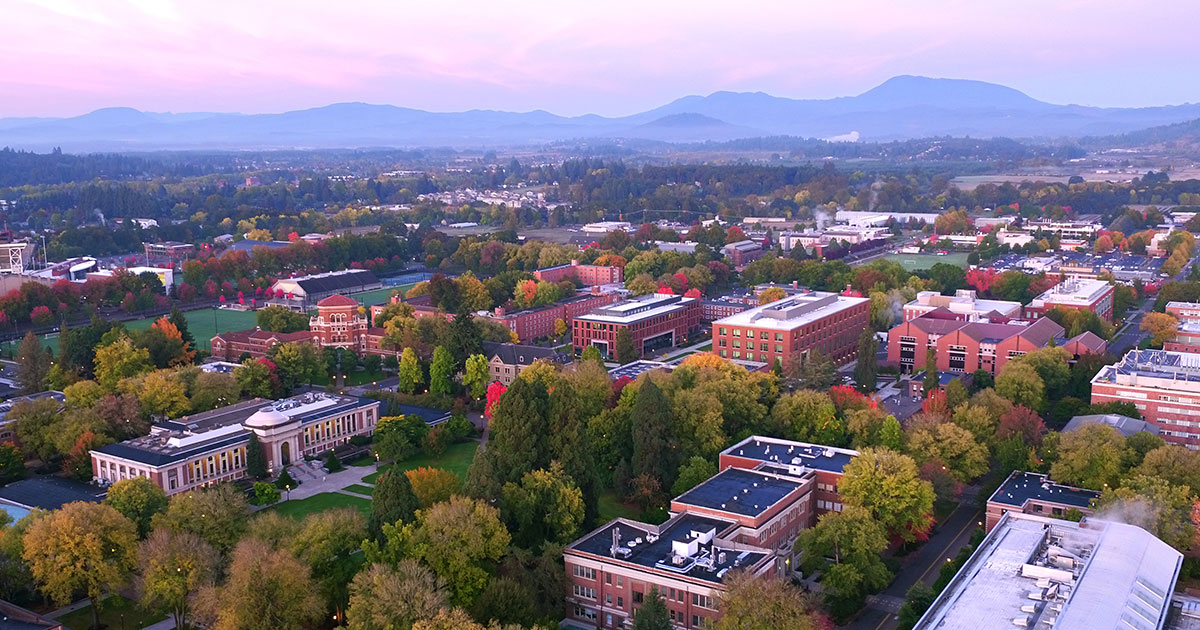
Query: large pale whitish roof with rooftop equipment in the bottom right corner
[(1046, 574)]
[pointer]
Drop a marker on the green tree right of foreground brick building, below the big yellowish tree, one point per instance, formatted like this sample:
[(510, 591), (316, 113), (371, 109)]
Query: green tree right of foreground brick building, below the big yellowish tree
[(854, 543)]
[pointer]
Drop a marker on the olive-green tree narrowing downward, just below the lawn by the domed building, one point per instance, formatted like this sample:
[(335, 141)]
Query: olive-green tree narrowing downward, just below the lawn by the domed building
[(328, 543)]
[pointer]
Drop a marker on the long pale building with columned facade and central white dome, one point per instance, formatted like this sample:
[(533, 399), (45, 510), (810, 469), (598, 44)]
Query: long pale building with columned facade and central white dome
[(209, 448)]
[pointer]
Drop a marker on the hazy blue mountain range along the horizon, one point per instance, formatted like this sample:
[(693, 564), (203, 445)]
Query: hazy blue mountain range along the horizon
[(901, 109)]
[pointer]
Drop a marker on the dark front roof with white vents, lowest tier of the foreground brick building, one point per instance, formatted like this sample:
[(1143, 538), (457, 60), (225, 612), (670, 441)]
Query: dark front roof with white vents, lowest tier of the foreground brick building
[(687, 545)]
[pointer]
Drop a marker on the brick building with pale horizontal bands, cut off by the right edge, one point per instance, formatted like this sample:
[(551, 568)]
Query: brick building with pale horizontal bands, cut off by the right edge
[(1163, 386)]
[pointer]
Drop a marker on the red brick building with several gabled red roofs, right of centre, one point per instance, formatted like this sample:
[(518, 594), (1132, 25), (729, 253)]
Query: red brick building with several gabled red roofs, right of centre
[(964, 346)]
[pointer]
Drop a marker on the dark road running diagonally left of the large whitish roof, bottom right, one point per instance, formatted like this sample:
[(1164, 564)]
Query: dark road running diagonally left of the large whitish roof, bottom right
[(921, 566)]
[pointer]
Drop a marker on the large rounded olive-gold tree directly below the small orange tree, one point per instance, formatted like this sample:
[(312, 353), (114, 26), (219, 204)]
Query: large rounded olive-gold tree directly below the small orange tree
[(460, 541)]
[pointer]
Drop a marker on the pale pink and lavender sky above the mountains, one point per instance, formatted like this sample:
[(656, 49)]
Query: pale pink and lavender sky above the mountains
[(62, 58)]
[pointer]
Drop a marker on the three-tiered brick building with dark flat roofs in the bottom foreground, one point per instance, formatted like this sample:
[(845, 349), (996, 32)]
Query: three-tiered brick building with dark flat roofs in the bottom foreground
[(746, 518)]
